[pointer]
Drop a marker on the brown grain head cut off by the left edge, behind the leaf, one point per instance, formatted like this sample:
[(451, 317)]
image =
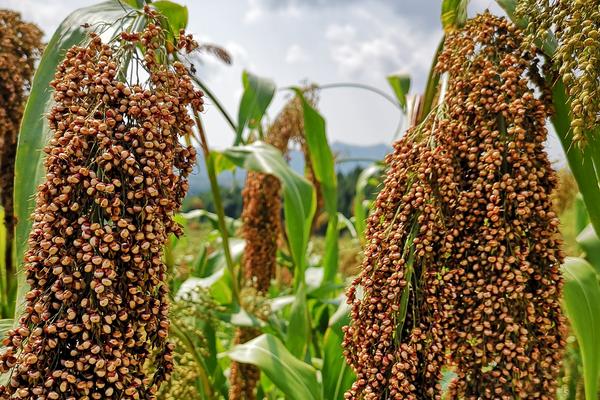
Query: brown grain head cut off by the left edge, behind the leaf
[(20, 48)]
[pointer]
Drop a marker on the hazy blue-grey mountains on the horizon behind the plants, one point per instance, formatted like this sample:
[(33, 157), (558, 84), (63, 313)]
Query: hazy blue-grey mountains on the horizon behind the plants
[(348, 156)]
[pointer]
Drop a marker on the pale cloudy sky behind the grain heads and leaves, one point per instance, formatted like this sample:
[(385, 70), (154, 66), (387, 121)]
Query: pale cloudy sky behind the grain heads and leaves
[(296, 41)]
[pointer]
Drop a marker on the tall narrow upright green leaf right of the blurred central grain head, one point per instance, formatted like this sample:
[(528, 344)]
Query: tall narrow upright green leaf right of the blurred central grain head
[(323, 163)]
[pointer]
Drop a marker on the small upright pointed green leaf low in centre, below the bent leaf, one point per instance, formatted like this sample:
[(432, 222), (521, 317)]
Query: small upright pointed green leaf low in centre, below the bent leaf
[(299, 328)]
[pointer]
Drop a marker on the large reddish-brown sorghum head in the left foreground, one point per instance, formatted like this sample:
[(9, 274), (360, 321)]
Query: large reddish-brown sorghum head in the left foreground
[(116, 172)]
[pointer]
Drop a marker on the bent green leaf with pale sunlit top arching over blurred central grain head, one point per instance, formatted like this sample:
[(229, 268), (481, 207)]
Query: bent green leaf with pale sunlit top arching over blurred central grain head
[(298, 194)]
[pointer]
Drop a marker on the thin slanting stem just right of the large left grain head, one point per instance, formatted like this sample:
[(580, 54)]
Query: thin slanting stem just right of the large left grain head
[(214, 187)]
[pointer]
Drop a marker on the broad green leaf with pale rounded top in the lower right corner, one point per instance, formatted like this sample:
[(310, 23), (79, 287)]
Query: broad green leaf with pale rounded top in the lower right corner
[(581, 294)]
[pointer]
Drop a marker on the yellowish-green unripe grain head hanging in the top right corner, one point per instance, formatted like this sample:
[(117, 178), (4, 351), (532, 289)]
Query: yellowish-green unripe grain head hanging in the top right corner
[(576, 28)]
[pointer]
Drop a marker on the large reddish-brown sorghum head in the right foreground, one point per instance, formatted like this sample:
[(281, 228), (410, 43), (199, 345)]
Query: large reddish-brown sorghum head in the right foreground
[(465, 219)]
